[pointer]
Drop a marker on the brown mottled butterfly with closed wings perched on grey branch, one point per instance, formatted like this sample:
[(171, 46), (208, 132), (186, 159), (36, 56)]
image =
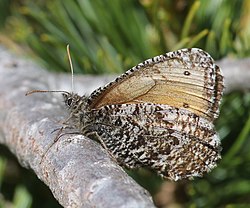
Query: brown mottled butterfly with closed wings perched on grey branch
[(159, 114)]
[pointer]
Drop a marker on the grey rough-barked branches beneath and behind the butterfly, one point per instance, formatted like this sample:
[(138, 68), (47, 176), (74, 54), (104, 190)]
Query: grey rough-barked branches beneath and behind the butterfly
[(77, 170)]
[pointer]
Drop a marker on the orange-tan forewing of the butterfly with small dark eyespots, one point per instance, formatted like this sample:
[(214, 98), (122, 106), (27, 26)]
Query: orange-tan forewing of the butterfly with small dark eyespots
[(187, 78)]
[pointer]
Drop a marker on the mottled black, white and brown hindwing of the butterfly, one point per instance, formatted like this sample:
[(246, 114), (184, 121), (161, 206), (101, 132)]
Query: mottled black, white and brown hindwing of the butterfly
[(176, 143)]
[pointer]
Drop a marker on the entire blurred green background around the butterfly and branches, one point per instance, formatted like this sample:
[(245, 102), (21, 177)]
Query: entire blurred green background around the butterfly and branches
[(112, 36)]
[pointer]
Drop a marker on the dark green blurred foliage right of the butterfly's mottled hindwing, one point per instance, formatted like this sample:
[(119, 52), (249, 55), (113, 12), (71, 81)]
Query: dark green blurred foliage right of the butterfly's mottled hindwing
[(229, 183)]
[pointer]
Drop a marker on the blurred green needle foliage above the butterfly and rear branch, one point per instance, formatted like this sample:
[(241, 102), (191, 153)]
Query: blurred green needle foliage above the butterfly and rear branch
[(112, 36)]
